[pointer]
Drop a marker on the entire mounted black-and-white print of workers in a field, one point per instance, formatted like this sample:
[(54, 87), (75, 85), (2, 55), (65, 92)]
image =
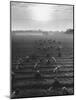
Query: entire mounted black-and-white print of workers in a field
[(42, 49)]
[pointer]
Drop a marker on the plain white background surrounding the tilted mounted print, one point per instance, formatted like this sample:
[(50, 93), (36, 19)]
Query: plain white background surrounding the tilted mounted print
[(5, 48)]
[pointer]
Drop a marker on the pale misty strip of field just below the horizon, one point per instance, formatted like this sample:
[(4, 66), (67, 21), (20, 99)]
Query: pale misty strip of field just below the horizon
[(56, 35)]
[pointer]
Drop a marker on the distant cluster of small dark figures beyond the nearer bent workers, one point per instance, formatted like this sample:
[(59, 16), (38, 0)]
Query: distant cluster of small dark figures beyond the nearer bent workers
[(52, 46)]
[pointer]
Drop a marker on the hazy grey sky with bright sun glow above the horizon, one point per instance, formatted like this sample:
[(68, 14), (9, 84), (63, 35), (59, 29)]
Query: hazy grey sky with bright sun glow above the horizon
[(32, 16)]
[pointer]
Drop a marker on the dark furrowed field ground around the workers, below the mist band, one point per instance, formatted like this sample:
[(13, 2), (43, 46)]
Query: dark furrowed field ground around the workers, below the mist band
[(26, 82)]
